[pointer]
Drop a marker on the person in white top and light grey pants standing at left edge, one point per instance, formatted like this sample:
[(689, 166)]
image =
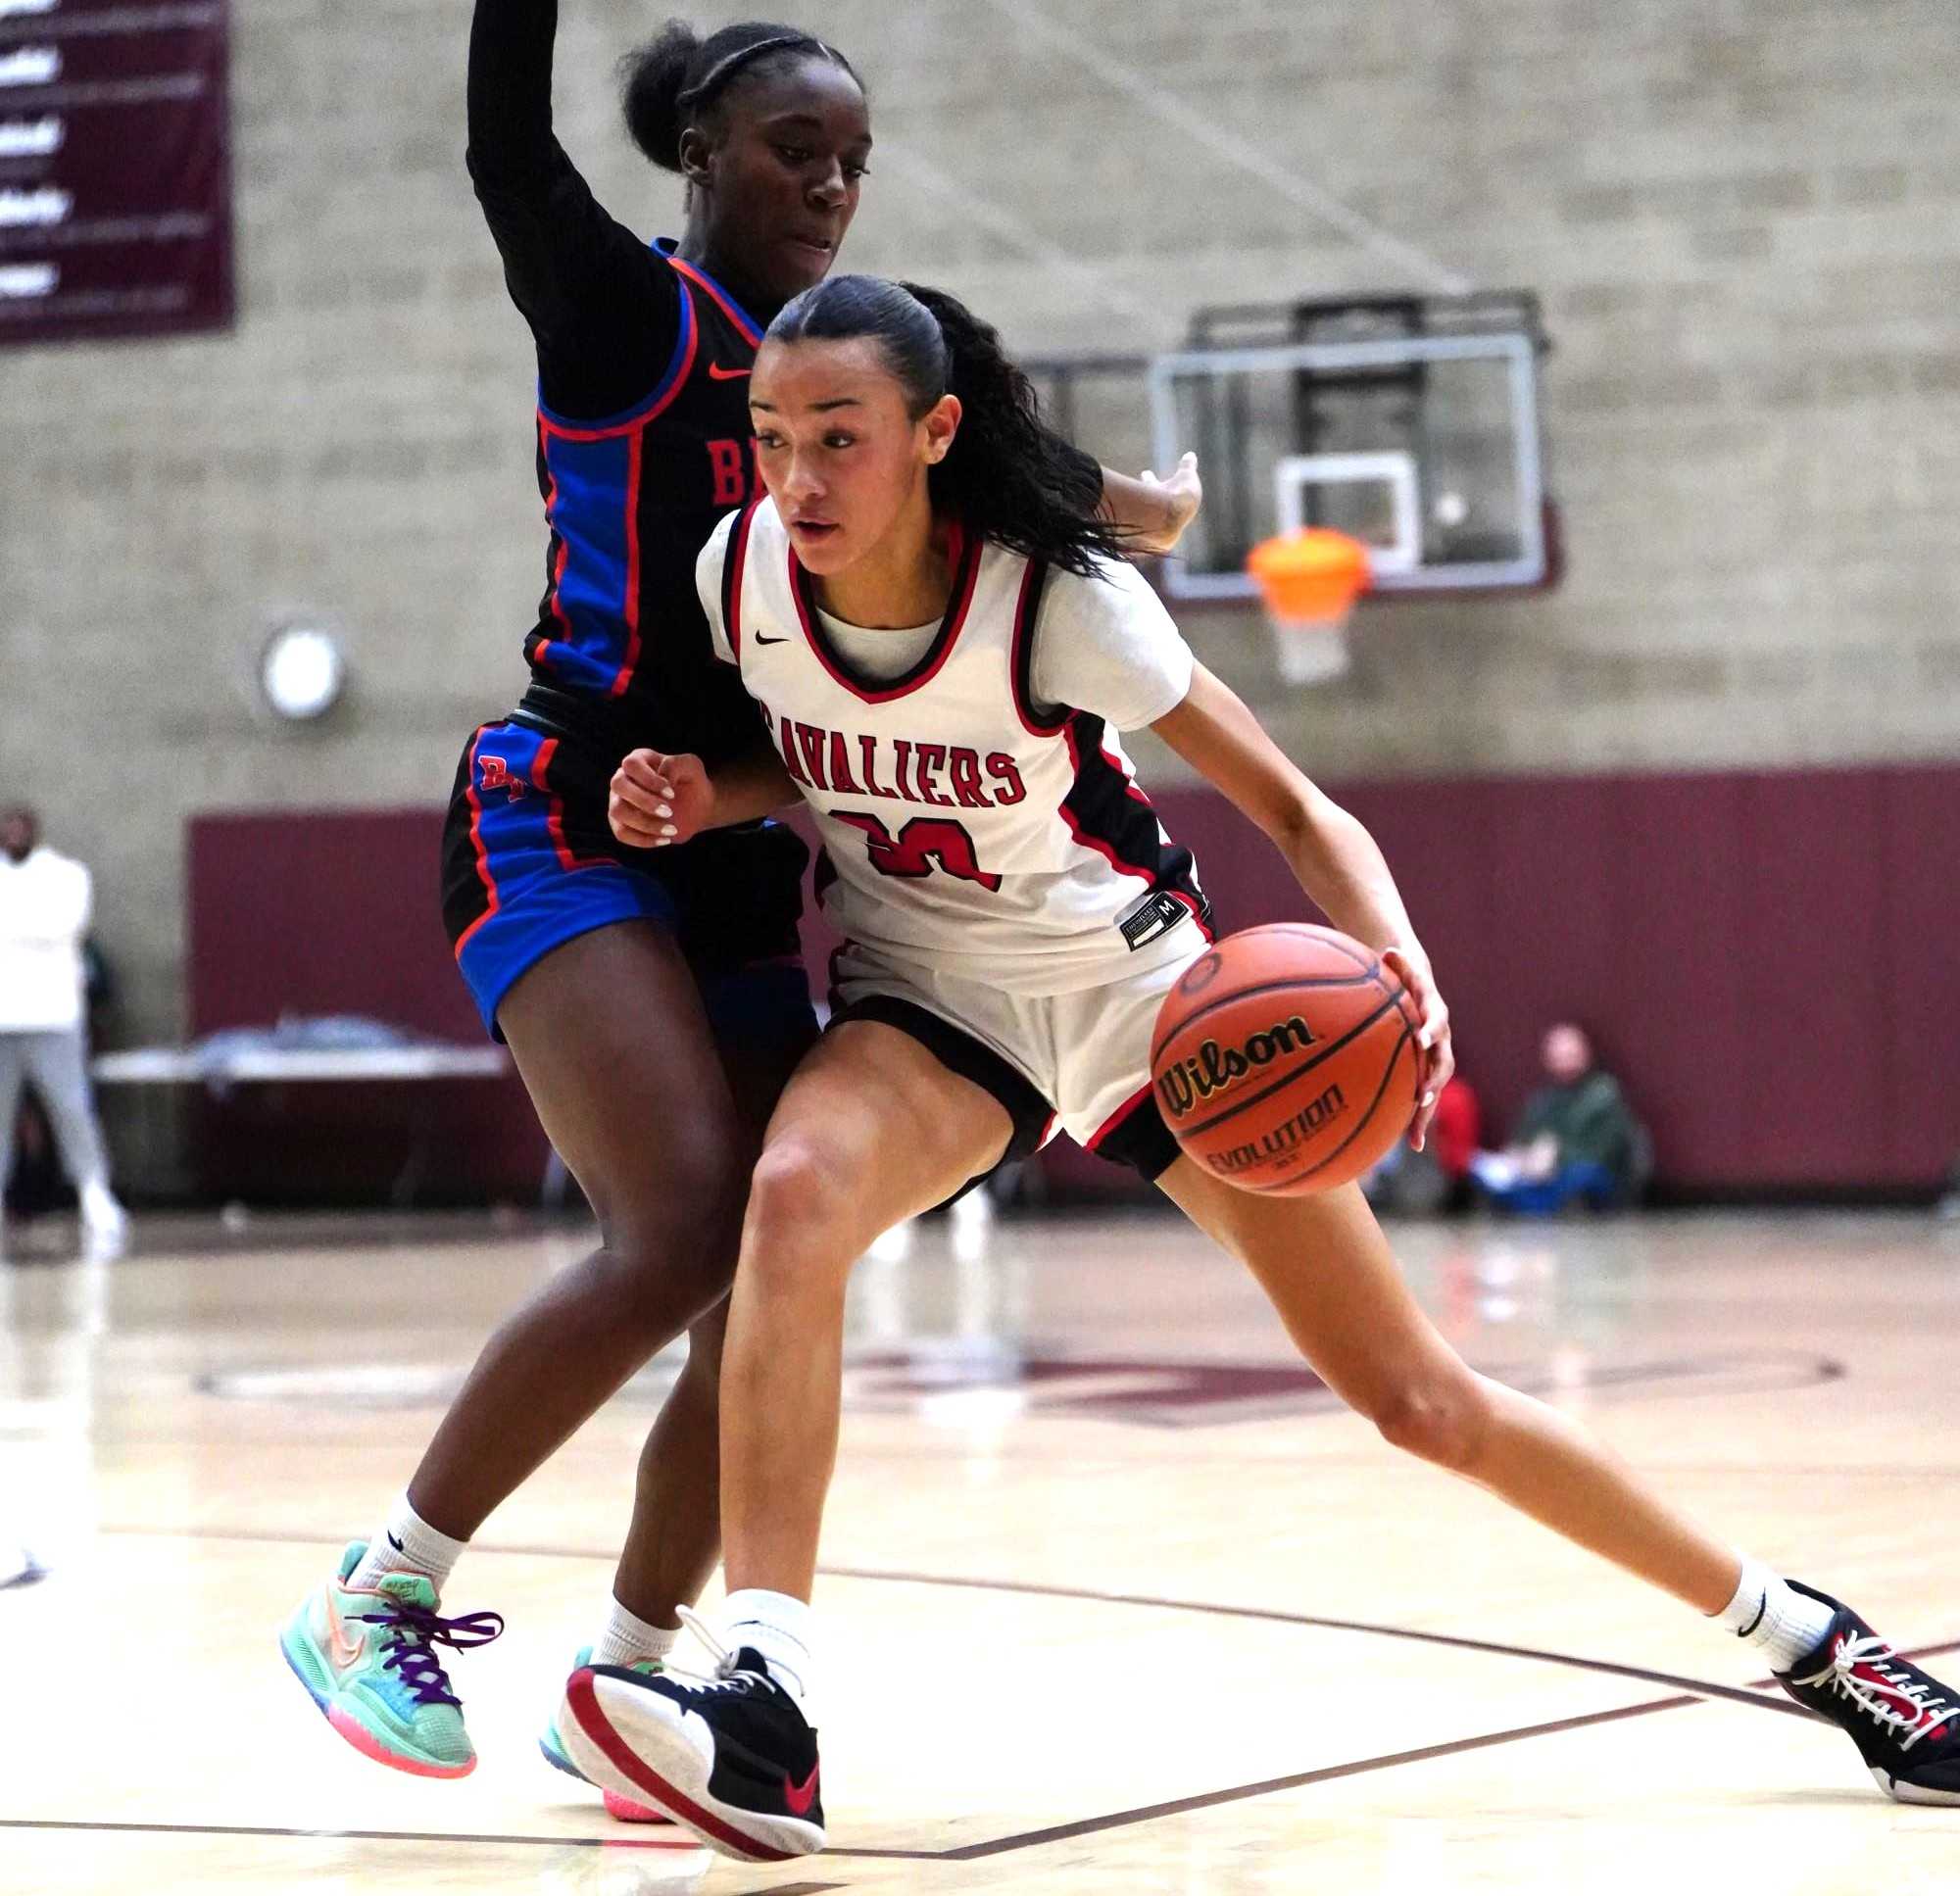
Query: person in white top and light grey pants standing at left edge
[(44, 1027)]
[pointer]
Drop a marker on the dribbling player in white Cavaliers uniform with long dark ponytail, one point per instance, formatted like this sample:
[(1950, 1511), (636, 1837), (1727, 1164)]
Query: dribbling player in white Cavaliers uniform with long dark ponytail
[(942, 643)]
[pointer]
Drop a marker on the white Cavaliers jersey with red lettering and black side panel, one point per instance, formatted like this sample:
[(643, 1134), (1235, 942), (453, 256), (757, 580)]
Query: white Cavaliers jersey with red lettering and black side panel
[(963, 824)]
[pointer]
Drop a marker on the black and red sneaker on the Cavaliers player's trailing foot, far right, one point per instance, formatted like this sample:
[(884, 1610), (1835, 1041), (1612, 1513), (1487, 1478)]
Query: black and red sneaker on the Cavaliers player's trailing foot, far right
[(1904, 1723)]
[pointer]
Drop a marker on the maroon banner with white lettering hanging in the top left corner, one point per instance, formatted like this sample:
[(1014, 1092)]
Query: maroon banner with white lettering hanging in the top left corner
[(115, 169)]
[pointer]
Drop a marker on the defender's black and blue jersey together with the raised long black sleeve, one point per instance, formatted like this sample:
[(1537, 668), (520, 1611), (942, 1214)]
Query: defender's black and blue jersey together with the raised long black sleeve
[(644, 434)]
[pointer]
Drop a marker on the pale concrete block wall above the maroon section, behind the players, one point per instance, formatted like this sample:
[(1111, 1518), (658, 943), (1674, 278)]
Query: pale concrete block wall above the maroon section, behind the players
[(1743, 218)]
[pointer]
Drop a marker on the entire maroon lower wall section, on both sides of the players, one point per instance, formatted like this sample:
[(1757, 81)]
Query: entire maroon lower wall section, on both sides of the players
[(1765, 959)]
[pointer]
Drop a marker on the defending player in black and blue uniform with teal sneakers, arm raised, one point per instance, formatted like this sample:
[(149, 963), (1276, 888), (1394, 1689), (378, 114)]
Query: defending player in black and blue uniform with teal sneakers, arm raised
[(618, 974)]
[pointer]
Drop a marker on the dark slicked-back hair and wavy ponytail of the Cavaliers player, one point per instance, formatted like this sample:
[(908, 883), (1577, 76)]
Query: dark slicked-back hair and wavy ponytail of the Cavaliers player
[(1008, 475)]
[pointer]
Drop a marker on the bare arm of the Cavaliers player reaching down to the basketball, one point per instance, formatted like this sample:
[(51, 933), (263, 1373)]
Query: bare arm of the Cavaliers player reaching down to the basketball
[(1332, 855)]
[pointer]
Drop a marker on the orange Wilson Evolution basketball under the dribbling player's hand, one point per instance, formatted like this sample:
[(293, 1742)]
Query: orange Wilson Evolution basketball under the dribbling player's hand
[(1287, 1059)]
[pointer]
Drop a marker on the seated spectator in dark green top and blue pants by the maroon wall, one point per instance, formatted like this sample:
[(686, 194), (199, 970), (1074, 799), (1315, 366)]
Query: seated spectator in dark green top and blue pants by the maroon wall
[(1577, 1141)]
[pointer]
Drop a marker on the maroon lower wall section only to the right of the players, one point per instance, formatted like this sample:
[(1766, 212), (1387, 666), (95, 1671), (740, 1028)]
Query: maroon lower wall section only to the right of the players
[(1765, 959)]
